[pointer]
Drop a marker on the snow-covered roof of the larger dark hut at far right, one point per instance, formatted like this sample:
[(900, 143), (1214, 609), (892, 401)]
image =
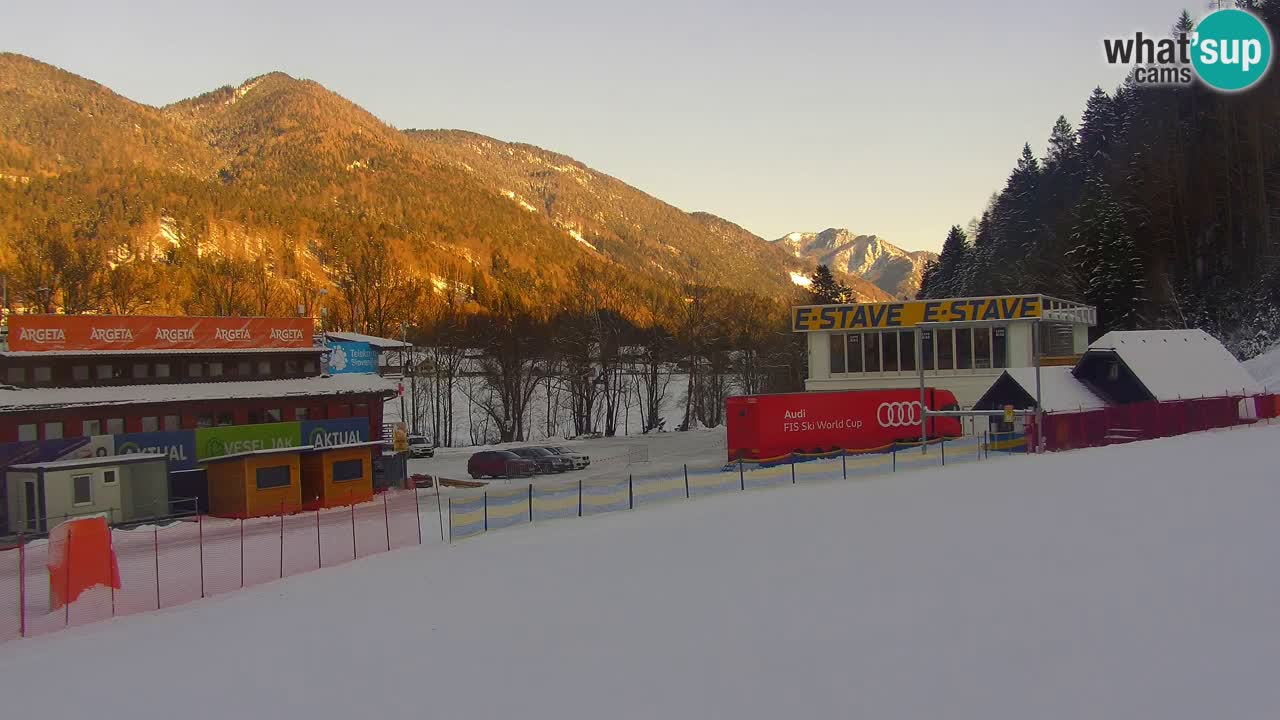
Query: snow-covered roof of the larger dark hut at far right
[(1178, 364)]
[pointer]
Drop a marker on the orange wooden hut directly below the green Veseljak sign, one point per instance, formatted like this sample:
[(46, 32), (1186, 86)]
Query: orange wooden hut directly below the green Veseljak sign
[(253, 485)]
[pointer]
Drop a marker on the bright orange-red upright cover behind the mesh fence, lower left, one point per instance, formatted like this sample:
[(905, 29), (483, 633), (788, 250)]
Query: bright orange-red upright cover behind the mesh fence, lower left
[(81, 558)]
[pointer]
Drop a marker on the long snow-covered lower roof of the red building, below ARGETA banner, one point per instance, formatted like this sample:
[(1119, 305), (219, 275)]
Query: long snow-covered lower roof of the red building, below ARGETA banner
[(40, 399)]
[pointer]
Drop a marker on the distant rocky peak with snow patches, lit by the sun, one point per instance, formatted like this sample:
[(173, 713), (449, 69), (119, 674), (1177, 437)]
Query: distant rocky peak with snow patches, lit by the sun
[(894, 271)]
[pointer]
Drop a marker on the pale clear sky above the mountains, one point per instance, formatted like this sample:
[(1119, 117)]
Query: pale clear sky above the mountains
[(890, 119)]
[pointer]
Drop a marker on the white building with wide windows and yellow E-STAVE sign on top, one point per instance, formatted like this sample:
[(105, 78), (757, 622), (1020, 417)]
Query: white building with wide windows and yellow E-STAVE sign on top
[(968, 343)]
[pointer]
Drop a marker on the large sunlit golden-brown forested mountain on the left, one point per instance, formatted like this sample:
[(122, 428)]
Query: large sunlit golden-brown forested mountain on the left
[(281, 194)]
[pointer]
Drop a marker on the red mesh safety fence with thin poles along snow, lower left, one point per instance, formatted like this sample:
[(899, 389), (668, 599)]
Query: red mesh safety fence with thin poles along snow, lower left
[(180, 563)]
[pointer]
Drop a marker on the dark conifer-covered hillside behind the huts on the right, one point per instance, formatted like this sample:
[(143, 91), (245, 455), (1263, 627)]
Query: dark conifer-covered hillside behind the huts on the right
[(1163, 209)]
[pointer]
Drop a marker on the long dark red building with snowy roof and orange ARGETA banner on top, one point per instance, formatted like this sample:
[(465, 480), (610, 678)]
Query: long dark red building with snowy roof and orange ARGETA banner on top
[(85, 376)]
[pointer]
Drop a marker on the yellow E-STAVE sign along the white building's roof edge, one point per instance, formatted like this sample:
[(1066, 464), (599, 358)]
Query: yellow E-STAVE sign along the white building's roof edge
[(884, 316)]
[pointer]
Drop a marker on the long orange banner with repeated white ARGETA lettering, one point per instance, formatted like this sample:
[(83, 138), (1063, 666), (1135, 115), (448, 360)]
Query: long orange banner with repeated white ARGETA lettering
[(120, 332)]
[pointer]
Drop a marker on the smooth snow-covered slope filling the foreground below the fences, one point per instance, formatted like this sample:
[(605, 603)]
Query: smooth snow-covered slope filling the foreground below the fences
[(1124, 582)]
